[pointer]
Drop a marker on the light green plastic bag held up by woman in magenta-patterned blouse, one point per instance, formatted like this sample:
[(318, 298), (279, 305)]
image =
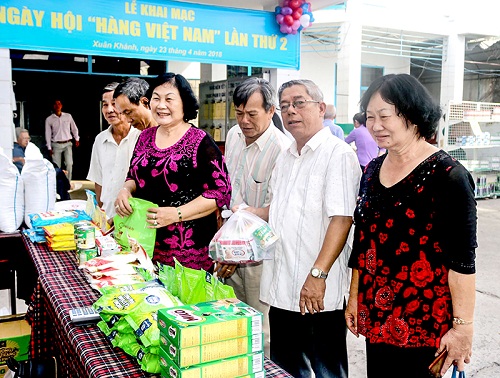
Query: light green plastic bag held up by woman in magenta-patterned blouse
[(134, 228)]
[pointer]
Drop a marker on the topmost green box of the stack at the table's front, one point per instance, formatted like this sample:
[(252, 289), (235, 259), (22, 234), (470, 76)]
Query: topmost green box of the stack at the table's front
[(209, 322)]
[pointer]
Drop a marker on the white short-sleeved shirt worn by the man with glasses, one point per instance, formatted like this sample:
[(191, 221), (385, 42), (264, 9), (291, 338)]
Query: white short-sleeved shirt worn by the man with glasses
[(308, 189)]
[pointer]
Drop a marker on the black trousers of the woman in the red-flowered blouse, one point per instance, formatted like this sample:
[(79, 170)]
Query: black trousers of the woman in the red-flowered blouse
[(390, 361)]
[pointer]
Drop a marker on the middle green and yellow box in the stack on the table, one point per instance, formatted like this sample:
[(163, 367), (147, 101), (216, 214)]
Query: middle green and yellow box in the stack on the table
[(199, 354)]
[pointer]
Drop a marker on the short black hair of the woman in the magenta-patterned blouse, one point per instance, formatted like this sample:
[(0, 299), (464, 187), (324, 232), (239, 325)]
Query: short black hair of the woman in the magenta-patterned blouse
[(189, 101)]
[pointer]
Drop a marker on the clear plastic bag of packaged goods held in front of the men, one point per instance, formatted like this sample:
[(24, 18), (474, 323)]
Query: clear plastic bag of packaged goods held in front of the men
[(243, 238)]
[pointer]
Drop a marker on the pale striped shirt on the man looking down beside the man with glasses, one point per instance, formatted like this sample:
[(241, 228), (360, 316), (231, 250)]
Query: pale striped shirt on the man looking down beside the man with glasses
[(250, 167)]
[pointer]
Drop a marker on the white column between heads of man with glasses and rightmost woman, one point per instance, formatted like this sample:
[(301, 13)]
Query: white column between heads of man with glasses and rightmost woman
[(349, 63)]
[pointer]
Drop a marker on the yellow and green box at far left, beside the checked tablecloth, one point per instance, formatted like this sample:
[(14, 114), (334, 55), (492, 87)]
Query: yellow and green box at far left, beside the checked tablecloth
[(15, 334)]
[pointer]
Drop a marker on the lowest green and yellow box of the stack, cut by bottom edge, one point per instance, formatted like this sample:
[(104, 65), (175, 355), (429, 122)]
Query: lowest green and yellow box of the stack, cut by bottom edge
[(250, 365)]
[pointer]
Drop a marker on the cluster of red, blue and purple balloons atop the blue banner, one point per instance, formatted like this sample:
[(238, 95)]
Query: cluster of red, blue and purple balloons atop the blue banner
[(293, 15)]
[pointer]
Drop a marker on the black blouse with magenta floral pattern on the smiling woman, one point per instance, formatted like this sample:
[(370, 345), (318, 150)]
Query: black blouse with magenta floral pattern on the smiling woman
[(174, 176)]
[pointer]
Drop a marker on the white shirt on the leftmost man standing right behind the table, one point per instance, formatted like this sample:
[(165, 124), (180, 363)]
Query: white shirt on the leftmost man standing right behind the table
[(109, 165)]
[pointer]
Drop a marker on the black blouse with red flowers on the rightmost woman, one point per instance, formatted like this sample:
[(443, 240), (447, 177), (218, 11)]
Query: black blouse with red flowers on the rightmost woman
[(405, 243)]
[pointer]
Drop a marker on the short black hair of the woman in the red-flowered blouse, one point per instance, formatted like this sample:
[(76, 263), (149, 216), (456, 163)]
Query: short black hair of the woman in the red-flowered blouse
[(411, 99)]
